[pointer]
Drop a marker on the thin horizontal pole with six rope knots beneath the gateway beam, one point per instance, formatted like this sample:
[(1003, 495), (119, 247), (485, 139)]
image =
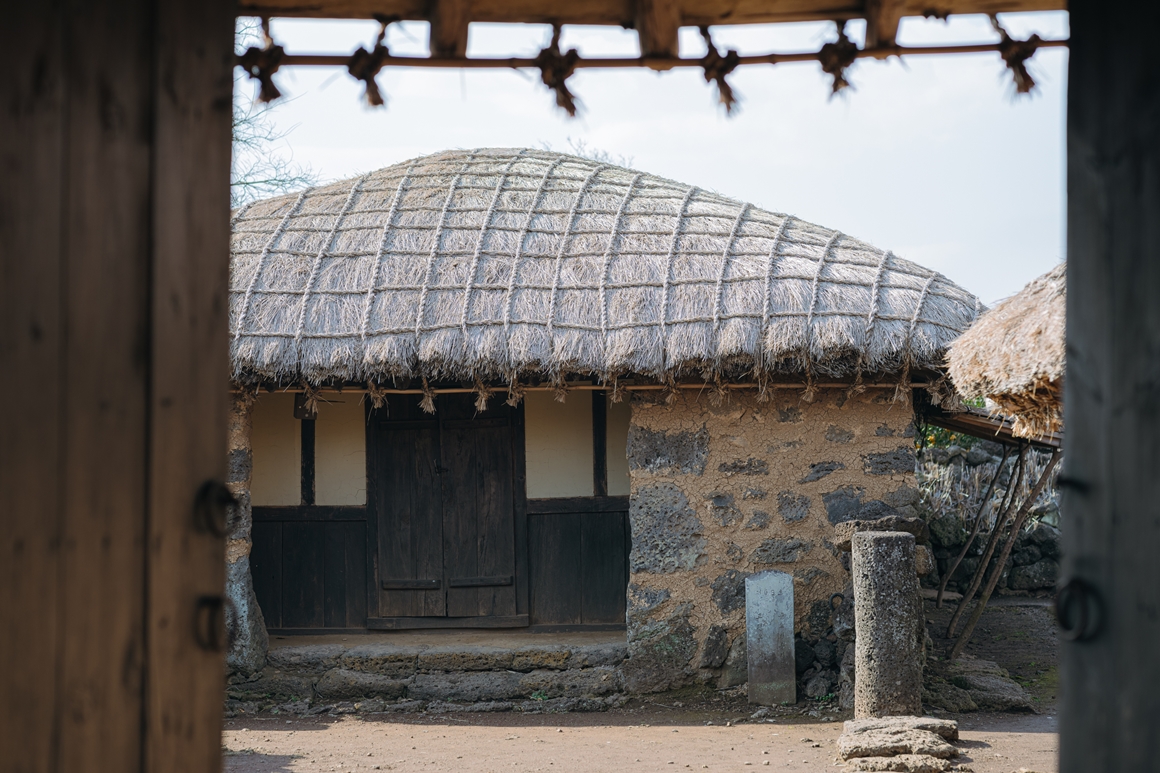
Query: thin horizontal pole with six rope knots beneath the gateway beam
[(556, 67)]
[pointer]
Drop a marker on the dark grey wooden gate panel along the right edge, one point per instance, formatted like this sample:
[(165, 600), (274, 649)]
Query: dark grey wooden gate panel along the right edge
[(1111, 684)]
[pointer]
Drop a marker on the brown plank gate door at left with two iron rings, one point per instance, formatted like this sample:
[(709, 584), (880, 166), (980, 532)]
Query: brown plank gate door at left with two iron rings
[(114, 250)]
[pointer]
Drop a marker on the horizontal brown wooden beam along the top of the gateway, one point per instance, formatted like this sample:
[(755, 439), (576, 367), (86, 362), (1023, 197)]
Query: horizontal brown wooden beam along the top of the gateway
[(626, 13)]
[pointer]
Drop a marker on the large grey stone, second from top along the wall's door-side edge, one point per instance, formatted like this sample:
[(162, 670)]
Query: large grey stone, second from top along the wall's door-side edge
[(668, 537)]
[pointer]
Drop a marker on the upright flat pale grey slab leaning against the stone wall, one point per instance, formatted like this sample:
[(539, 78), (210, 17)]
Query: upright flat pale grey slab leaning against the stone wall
[(770, 638)]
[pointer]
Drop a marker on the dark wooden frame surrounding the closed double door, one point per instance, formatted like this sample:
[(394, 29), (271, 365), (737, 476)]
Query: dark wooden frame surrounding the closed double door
[(520, 534)]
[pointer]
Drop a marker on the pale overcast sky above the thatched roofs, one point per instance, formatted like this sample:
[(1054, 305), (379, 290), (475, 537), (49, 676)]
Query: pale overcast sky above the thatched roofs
[(933, 157)]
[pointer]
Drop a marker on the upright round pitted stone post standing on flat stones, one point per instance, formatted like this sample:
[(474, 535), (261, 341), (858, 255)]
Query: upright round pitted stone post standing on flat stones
[(888, 615)]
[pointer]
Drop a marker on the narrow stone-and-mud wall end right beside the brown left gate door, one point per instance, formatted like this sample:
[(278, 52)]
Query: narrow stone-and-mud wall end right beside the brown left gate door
[(248, 654)]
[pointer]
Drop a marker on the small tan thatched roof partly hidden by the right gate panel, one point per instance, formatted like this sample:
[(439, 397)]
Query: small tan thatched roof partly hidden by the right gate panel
[(1014, 356)]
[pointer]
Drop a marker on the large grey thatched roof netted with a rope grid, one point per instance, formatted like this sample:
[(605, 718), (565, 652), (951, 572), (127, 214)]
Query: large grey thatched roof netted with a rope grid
[(497, 264)]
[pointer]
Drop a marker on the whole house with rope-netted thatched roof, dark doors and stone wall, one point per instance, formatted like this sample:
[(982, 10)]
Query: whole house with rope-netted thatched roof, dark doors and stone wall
[(430, 507)]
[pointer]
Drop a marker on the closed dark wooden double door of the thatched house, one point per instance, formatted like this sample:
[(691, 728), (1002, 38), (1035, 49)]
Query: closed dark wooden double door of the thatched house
[(447, 511)]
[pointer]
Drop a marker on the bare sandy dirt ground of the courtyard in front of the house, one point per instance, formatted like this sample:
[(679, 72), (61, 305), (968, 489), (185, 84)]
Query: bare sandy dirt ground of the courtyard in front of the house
[(690, 731)]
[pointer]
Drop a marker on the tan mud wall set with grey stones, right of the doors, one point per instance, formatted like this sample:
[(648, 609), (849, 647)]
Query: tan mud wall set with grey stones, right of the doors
[(723, 492)]
